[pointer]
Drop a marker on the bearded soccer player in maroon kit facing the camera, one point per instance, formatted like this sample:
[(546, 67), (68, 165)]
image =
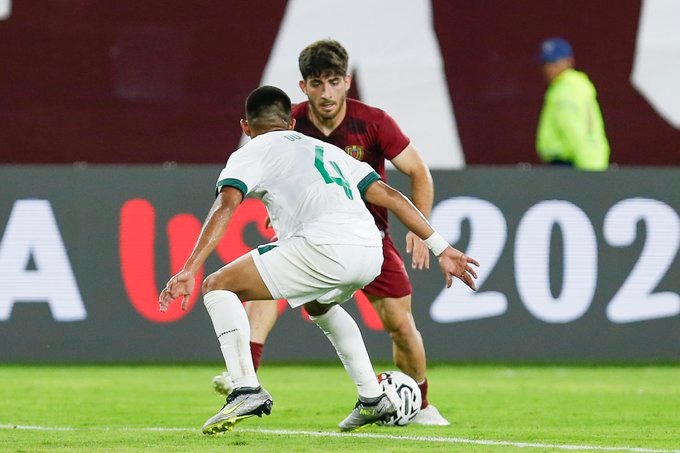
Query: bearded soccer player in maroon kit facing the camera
[(371, 135)]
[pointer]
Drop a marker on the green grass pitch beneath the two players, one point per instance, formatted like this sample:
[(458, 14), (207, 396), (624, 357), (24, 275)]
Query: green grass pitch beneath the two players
[(492, 408)]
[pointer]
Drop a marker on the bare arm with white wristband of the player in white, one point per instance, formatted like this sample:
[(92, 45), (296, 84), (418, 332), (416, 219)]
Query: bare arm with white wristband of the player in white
[(452, 262)]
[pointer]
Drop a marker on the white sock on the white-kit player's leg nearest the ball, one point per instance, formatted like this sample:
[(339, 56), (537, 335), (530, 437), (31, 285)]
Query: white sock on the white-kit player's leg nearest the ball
[(344, 334)]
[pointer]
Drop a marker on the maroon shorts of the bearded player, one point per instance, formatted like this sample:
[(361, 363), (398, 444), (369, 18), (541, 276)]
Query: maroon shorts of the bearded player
[(393, 280)]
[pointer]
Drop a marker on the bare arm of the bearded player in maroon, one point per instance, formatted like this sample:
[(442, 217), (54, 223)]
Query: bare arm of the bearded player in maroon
[(412, 165)]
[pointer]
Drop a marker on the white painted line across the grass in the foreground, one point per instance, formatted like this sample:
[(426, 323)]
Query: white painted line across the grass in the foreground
[(448, 440)]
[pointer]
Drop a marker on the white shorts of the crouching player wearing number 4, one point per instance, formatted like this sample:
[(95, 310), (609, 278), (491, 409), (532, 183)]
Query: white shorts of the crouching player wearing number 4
[(301, 272)]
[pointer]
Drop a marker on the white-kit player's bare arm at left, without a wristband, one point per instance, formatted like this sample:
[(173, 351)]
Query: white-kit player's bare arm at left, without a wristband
[(221, 212)]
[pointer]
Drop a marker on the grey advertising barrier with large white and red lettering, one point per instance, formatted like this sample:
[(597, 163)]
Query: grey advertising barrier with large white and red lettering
[(575, 267)]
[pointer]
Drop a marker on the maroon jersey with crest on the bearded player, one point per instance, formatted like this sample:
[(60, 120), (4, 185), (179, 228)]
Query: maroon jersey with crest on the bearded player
[(367, 134)]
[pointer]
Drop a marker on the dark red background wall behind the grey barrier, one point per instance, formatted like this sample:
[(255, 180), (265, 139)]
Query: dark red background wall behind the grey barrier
[(156, 81)]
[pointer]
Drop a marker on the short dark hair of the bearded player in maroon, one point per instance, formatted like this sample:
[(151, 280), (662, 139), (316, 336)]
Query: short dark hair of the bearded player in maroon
[(324, 57)]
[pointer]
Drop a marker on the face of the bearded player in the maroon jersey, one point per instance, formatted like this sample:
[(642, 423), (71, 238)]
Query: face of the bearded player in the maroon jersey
[(326, 94)]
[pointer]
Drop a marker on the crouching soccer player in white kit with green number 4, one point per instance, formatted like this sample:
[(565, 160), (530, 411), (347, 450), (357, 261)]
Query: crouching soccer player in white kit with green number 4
[(328, 247)]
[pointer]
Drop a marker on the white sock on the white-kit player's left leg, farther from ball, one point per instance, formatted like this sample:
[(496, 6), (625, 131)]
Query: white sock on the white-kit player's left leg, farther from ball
[(233, 332)]
